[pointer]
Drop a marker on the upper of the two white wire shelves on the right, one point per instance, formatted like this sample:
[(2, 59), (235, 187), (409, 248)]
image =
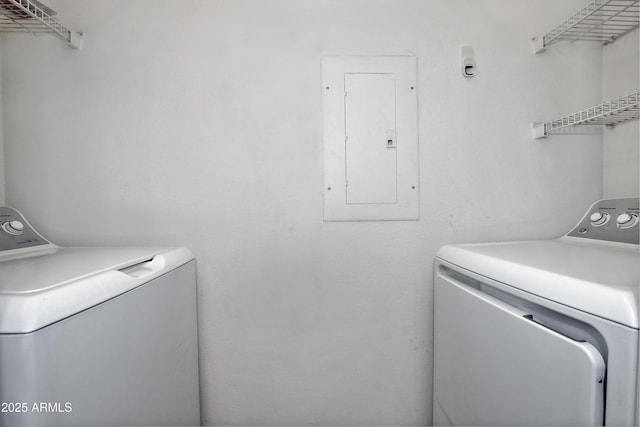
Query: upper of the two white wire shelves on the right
[(600, 20)]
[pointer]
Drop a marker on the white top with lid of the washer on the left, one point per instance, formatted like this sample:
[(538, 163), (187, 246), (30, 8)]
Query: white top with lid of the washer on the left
[(36, 291)]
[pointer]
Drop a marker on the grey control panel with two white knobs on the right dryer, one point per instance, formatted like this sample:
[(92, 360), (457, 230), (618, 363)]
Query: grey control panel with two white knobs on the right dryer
[(614, 220)]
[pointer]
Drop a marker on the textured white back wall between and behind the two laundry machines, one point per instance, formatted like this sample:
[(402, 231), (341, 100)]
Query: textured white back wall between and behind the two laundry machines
[(198, 123)]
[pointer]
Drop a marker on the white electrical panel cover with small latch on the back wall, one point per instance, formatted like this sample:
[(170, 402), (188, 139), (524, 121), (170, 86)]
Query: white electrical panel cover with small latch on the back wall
[(370, 123)]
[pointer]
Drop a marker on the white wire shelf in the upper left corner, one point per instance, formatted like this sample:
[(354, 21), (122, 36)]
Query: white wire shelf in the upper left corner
[(33, 17)]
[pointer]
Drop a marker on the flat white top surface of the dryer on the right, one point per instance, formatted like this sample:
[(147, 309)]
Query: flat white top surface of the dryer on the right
[(595, 278)]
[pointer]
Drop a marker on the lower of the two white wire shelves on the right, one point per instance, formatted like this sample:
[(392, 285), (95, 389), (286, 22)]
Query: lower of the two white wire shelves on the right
[(605, 114)]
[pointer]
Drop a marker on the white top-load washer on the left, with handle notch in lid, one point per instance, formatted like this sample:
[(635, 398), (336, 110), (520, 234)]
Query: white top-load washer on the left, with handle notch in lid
[(95, 336)]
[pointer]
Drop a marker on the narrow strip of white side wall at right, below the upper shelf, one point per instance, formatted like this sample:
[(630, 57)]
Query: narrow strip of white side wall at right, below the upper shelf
[(621, 76)]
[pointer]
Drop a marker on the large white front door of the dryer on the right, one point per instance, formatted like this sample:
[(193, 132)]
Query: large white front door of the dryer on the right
[(494, 365)]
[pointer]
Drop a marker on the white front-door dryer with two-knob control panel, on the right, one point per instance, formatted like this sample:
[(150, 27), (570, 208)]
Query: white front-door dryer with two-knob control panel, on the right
[(541, 332)]
